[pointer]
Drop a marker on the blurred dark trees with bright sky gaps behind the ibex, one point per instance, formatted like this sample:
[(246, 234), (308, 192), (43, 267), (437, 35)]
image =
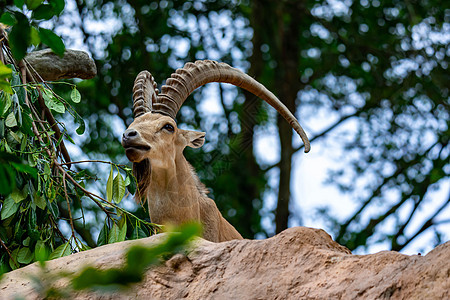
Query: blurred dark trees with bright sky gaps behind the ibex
[(379, 65)]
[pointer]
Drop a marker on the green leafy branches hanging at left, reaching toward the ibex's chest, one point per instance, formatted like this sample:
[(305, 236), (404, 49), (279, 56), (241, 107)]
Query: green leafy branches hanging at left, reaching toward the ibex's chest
[(40, 192)]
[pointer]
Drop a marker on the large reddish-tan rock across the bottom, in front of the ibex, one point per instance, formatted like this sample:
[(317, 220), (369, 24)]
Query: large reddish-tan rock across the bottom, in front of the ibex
[(299, 263)]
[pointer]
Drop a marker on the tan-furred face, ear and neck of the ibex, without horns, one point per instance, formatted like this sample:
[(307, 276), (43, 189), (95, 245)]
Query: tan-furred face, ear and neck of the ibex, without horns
[(174, 193)]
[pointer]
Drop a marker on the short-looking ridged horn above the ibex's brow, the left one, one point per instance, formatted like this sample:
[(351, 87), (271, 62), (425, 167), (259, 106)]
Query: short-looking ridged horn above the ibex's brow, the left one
[(144, 93)]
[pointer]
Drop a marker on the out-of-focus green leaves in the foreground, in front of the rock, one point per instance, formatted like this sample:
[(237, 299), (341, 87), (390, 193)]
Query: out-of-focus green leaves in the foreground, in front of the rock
[(138, 259)]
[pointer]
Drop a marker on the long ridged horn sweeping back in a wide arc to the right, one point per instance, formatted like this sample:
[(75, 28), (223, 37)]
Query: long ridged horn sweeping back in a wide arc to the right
[(193, 75)]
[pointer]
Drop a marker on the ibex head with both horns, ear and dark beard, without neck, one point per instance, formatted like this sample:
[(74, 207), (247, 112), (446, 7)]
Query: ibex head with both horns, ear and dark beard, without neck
[(154, 138)]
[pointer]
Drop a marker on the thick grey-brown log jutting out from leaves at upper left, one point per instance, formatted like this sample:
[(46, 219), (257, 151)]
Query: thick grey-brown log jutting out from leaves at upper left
[(74, 64)]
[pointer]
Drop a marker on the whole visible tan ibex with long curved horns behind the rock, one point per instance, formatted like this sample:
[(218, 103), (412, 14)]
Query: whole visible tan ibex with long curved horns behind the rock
[(155, 145)]
